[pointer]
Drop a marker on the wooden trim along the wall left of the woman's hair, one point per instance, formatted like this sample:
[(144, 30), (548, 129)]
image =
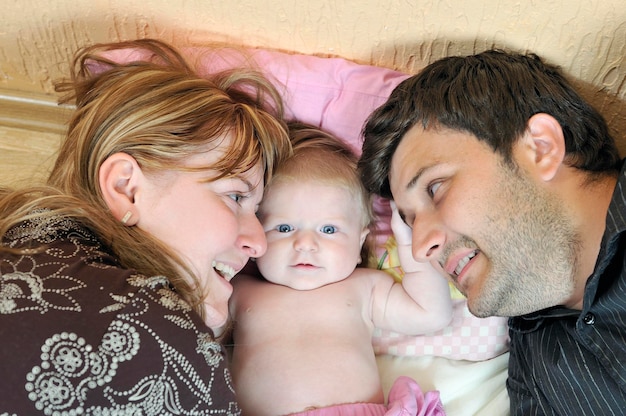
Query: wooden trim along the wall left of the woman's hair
[(32, 111)]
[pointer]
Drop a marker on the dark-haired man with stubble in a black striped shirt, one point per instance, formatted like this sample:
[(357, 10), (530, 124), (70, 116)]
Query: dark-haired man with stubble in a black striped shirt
[(513, 187)]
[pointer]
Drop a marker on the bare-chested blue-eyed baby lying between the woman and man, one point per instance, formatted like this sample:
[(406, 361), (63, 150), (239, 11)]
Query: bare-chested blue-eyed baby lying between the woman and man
[(302, 335)]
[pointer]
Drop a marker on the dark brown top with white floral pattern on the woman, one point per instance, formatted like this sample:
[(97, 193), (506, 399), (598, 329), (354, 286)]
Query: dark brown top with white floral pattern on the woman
[(81, 335)]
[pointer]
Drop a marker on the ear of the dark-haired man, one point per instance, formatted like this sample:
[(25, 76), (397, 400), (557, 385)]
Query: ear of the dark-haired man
[(545, 145)]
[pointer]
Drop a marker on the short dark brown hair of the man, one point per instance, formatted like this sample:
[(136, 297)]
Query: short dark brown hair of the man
[(491, 95)]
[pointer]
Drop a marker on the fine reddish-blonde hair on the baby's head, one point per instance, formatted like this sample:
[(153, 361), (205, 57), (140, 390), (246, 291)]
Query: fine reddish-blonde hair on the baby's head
[(320, 156)]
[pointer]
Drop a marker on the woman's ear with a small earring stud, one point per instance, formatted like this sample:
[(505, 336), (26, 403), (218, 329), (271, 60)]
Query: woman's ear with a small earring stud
[(118, 176)]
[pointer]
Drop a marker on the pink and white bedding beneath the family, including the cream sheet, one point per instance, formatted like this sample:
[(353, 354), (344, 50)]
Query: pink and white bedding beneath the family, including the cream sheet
[(467, 361)]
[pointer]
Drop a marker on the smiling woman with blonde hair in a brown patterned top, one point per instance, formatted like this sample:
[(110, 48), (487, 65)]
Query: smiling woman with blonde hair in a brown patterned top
[(115, 271)]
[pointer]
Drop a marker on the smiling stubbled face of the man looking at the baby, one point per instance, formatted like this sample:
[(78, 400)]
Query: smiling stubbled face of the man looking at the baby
[(501, 237)]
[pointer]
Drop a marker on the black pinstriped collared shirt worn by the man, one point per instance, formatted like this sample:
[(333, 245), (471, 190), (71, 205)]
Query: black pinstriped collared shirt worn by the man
[(568, 362)]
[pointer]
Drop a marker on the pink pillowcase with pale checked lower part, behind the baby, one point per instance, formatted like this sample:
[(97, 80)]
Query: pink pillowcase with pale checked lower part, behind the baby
[(338, 95)]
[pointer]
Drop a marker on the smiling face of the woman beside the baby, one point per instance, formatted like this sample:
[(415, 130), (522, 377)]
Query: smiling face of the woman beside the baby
[(211, 224)]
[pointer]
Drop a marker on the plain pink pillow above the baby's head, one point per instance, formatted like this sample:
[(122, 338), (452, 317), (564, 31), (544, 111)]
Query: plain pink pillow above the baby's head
[(333, 93)]
